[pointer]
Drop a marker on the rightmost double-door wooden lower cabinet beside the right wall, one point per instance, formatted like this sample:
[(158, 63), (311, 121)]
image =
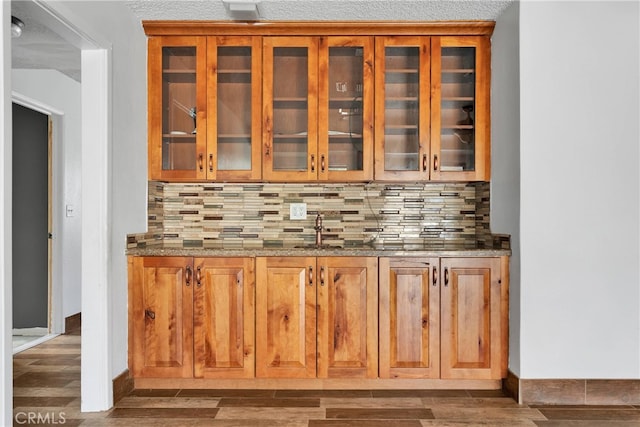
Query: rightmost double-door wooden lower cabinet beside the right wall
[(443, 318)]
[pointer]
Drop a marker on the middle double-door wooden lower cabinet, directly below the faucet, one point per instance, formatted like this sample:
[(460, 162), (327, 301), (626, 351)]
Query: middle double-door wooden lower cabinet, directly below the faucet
[(316, 317)]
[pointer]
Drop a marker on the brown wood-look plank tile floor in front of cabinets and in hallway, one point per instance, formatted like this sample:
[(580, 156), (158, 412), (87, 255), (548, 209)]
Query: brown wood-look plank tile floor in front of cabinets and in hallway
[(47, 391)]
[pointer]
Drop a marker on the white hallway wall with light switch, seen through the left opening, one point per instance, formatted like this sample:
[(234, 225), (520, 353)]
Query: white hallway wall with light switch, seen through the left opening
[(55, 90)]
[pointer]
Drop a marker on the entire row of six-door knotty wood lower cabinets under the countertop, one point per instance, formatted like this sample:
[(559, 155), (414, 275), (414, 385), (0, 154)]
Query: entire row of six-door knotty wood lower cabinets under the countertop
[(318, 317)]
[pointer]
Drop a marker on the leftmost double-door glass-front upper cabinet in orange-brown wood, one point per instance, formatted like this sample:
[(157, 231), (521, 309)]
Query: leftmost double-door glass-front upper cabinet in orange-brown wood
[(204, 102)]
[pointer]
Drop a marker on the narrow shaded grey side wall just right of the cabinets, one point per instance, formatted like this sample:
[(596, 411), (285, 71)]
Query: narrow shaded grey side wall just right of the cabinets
[(505, 157)]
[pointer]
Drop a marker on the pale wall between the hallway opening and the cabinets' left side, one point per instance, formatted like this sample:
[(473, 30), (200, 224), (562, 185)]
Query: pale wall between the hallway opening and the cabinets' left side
[(128, 151)]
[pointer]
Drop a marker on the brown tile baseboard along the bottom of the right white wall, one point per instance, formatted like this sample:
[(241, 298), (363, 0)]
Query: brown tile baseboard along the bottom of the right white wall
[(573, 391)]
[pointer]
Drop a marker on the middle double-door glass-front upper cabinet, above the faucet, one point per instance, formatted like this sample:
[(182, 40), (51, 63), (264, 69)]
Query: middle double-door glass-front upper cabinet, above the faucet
[(318, 98)]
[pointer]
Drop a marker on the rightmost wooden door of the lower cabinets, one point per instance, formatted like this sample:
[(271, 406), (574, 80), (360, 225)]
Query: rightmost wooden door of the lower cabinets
[(471, 322)]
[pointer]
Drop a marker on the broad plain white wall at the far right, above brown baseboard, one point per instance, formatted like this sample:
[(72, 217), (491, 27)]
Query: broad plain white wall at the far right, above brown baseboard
[(579, 134)]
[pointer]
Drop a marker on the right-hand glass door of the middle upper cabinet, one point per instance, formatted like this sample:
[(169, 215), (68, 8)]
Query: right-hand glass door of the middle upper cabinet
[(345, 108)]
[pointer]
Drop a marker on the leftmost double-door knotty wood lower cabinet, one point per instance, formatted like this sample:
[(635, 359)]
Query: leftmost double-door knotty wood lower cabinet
[(191, 317)]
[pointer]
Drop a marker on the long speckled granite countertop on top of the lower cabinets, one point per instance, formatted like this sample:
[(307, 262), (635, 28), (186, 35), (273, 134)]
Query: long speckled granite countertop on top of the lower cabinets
[(444, 250)]
